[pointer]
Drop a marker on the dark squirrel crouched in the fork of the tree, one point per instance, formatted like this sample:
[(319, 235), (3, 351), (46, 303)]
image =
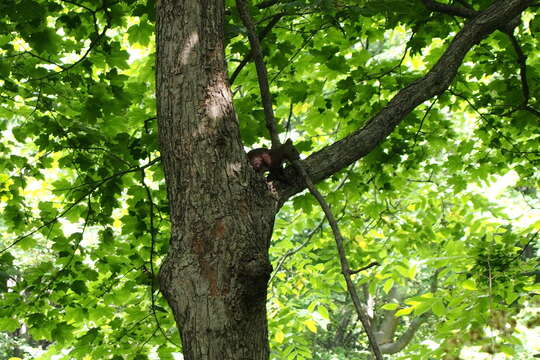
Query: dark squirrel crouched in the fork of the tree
[(263, 159)]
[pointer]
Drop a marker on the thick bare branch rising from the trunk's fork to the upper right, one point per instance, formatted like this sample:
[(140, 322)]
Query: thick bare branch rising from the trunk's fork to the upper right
[(332, 158)]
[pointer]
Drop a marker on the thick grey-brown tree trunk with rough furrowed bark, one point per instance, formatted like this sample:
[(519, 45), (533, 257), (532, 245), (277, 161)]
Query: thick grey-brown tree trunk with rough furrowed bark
[(216, 272)]
